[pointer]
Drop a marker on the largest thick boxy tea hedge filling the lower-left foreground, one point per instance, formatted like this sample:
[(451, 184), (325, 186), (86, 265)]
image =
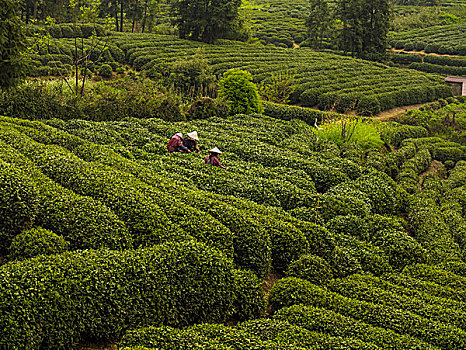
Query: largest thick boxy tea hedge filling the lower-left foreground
[(101, 294)]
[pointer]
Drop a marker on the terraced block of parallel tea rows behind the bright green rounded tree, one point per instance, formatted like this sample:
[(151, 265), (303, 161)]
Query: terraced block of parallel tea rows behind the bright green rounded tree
[(315, 74)]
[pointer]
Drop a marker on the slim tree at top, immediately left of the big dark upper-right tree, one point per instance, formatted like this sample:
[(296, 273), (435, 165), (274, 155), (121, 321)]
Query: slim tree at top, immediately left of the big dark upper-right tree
[(318, 22)]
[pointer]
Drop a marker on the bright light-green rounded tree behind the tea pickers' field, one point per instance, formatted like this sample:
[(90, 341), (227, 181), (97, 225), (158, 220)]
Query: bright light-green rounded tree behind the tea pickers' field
[(237, 88)]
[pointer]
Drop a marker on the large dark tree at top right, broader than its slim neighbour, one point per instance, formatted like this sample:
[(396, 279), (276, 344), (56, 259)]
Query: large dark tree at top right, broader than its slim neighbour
[(365, 26)]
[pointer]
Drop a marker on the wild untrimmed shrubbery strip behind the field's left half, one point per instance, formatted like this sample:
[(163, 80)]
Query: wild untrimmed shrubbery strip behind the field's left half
[(112, 100)]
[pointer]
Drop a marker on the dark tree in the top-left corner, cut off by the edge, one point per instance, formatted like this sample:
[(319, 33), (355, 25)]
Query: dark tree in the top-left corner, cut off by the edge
[(12, 45)]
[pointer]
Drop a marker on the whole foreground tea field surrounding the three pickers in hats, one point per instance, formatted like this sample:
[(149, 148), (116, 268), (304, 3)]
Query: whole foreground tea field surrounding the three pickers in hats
[(106, 237)]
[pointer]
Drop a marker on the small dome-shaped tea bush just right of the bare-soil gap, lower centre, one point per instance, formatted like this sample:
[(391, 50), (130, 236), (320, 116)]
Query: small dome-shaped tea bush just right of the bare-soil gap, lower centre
[(312, 268)]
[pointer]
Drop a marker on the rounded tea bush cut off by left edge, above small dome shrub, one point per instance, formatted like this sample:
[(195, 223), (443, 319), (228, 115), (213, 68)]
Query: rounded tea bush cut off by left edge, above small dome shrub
[(19, 201)]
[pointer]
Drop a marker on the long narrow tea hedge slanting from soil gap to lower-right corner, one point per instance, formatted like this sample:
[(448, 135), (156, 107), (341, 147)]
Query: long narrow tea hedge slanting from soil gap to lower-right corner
[(291, 291)]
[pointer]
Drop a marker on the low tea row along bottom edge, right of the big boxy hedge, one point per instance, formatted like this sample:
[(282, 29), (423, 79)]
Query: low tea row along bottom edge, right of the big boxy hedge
[(257, 334)]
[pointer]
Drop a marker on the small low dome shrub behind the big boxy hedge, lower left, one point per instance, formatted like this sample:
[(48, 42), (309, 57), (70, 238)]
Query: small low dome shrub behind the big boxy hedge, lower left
[(36, 241)]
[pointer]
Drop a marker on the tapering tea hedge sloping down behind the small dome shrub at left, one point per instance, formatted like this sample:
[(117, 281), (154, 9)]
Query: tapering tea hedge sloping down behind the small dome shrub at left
[(82, 221)]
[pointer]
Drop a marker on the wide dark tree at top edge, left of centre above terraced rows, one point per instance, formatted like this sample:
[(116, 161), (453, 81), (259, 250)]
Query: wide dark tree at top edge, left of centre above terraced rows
[(206, 20)]
